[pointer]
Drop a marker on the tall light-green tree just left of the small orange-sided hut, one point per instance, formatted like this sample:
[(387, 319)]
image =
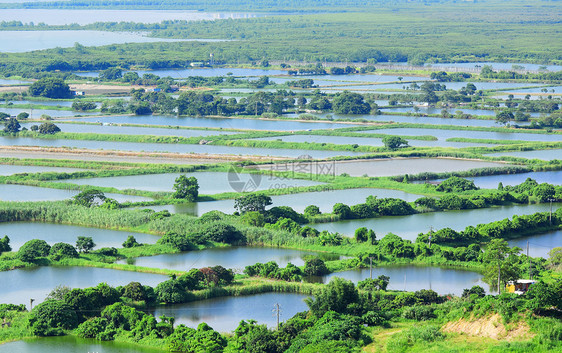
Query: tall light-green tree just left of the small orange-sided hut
[(500, 262)]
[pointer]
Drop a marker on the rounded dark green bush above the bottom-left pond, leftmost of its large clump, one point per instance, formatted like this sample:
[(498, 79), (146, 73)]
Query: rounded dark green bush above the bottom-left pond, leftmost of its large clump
[(51, 318)]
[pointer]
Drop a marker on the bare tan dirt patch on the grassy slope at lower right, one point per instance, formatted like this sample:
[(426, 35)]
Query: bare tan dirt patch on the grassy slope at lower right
[(491, 327)]
